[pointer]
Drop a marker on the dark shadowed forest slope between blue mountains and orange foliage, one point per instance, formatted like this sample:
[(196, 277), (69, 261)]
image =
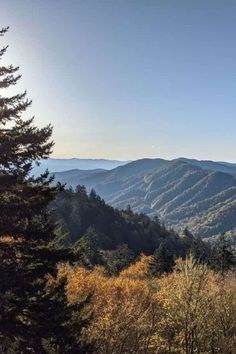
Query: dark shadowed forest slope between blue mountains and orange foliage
[(85, 219)]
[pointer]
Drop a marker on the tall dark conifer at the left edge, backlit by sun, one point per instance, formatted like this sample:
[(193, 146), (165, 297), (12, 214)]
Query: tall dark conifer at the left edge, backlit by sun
[(28, 251)]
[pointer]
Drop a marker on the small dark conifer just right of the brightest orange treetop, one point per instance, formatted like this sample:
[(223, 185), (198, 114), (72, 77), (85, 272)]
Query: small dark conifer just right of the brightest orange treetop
[(161, 262)]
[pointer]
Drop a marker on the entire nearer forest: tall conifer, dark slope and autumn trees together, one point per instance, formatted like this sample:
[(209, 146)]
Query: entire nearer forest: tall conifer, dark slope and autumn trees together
[(78, 276)]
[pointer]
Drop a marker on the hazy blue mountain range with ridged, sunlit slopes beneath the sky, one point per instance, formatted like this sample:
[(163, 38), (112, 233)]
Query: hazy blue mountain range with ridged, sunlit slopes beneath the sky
[(182, 192)]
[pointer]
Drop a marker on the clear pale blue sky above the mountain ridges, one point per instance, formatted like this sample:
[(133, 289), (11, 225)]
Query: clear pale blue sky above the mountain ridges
[(127, 79)]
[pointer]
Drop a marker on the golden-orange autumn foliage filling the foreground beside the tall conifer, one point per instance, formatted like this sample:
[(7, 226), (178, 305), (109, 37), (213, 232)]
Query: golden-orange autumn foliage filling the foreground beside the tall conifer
[(192, 310)]
